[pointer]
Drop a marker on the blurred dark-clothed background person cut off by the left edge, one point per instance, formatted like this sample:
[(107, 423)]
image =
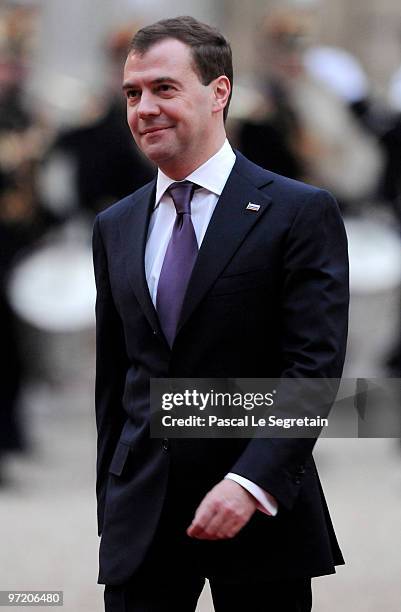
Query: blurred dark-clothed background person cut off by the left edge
[(22, 218)]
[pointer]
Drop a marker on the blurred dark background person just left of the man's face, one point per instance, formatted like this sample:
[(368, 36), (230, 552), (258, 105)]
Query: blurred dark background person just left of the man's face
[(90, 166)]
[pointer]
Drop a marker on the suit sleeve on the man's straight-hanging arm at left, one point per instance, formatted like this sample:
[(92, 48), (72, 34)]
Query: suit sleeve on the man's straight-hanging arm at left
[(111, 367)]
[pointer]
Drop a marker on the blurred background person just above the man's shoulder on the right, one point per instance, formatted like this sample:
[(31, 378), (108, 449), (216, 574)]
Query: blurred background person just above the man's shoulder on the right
[(275, 120)]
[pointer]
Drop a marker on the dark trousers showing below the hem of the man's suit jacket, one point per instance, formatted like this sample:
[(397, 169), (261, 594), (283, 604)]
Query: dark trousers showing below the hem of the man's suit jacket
[(182, 596)]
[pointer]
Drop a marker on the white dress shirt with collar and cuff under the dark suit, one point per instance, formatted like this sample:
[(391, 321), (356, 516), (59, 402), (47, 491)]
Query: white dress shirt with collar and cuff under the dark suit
[(211, 177)]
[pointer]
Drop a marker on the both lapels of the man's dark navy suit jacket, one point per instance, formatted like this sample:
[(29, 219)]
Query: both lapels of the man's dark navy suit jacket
[(229, 225)]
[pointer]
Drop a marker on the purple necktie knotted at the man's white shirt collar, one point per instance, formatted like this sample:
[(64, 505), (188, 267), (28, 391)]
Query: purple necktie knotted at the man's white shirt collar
[(179, 260)]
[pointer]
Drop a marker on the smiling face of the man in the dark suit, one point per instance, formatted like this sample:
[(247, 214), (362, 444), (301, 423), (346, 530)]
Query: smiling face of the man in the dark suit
[(171, 114)]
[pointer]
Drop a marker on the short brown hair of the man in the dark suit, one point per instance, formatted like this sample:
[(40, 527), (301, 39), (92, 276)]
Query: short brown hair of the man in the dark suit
[(211, 52)]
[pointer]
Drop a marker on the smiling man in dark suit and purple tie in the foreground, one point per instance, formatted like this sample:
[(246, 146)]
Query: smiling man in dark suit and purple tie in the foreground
[(217, 268)]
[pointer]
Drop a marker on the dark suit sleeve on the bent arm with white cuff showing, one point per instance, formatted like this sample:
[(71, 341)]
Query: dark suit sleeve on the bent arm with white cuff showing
[(314, 323)]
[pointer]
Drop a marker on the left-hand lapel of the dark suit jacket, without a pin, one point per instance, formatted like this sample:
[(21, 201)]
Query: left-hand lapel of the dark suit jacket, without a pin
[(133, 231)]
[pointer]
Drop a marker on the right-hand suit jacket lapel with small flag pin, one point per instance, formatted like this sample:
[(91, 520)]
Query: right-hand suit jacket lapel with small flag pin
[(230, 223)]
